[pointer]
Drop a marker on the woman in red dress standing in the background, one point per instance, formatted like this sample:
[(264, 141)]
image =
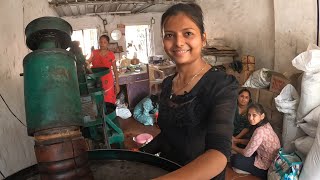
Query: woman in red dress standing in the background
[(104, 58)]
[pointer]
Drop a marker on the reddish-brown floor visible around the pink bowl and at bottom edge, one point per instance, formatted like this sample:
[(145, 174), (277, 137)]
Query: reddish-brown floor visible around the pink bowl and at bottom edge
[(131, 128)]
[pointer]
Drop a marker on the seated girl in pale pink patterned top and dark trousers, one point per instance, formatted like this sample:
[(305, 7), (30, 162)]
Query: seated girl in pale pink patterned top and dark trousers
[(262, 148)]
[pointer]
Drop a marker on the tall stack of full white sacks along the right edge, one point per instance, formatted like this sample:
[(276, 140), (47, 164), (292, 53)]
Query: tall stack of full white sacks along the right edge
[(308, 112)]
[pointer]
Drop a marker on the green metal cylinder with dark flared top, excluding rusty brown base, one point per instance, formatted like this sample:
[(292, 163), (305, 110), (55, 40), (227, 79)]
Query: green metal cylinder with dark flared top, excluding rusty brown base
[(50, 79)]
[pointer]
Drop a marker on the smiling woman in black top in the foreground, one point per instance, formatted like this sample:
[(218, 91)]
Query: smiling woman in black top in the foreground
[(197, 104)]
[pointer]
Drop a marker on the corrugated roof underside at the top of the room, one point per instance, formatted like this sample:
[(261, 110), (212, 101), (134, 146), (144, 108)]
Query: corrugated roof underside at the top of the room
[(87, 7)]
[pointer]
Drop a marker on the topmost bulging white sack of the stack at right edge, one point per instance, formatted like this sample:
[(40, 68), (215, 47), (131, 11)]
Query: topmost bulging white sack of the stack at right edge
[(309, 62)]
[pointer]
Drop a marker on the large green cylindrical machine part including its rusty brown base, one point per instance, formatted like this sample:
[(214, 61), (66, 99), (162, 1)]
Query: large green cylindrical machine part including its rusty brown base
[(52, 101)]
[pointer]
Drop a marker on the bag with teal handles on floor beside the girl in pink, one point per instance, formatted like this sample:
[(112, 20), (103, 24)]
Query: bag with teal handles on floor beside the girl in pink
[(285, 167)]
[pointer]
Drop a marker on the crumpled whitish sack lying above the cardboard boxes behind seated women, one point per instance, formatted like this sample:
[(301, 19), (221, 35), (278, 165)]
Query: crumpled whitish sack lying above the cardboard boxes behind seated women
[(258, 79)]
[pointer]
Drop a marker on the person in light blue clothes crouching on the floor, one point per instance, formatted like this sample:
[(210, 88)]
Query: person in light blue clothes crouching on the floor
[(146, 110)]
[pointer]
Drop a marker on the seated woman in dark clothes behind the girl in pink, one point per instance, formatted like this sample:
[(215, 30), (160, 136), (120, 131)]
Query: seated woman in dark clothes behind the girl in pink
[(241, 124)]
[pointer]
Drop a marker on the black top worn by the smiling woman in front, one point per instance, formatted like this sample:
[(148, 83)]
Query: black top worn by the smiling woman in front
[(197, 121)]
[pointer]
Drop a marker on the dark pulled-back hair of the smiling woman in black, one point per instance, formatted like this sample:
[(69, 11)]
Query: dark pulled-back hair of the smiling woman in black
[(192, 10)]
